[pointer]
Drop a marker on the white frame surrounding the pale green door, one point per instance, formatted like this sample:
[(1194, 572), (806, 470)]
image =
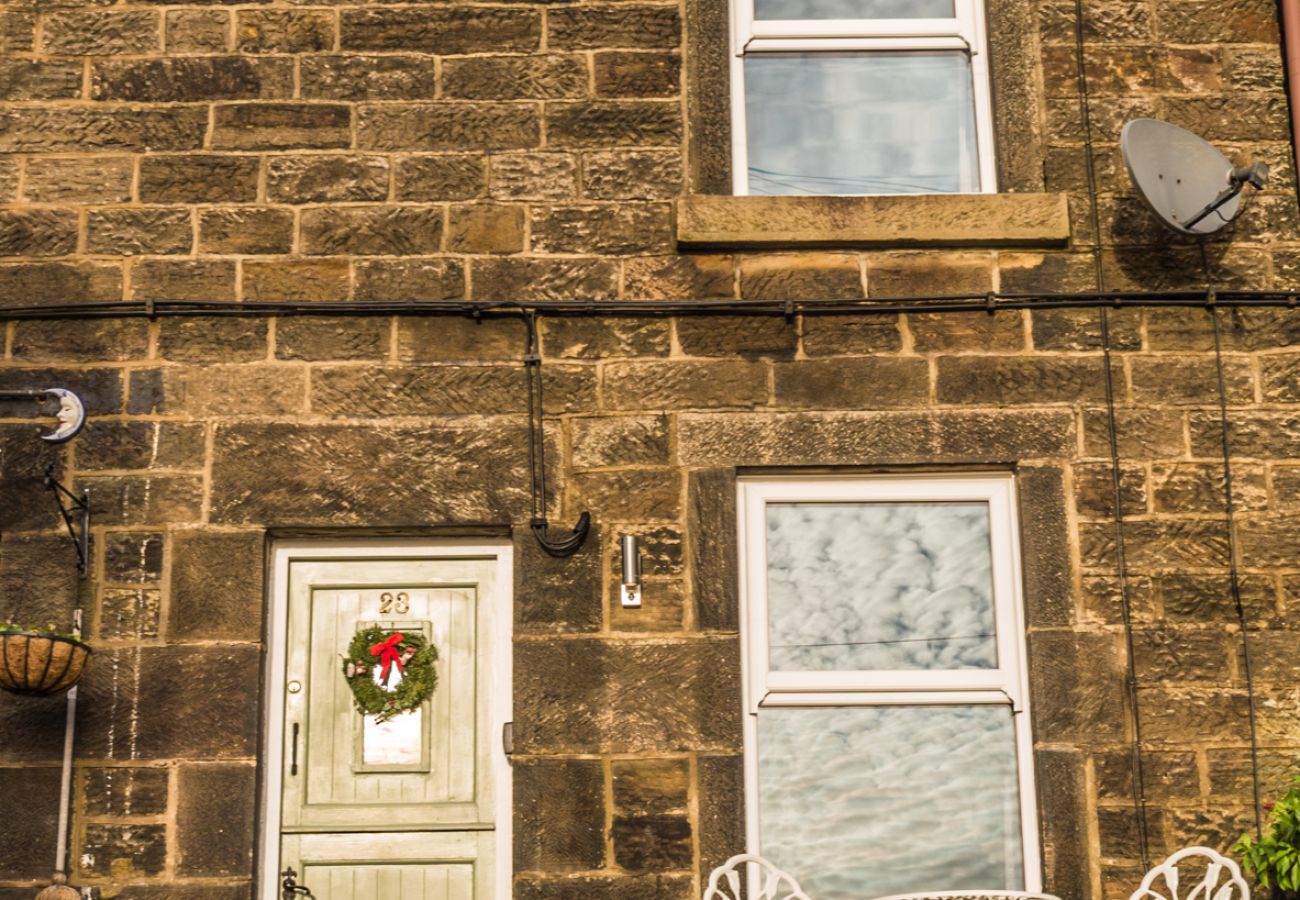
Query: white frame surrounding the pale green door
[(283, 553)]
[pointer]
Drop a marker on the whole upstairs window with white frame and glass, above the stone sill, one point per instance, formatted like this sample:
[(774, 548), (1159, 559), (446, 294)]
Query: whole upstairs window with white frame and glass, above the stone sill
[(861, 97)]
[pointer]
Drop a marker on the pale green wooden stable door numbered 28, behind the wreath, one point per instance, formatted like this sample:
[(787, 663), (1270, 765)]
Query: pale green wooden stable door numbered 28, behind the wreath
[(401, 810)]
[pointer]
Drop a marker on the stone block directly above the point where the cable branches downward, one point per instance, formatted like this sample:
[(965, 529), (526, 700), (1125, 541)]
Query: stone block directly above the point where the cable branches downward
[(544, 279)]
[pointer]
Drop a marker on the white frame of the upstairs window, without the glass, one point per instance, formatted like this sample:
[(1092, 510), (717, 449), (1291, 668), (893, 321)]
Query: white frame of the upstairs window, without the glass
[(965, 32)]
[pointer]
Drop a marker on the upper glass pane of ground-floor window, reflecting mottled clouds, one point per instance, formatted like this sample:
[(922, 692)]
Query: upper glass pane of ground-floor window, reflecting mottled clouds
[(879, 587)]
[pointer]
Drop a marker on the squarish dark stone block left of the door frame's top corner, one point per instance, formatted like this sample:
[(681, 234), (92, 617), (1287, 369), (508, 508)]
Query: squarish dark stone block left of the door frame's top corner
[(216, 587)]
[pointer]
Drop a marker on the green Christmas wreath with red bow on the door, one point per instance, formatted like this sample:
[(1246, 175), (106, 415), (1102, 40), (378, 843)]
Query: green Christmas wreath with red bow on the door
[(395, 656)]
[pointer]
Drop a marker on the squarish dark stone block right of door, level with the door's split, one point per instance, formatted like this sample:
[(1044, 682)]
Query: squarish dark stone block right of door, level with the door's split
[(560, 811)]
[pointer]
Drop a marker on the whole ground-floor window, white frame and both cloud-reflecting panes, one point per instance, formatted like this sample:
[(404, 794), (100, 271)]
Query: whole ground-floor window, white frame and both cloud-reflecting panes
[(887, 734)]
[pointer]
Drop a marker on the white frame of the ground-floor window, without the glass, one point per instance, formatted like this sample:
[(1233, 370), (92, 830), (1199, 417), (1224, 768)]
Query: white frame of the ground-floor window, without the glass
[(1008, 685)]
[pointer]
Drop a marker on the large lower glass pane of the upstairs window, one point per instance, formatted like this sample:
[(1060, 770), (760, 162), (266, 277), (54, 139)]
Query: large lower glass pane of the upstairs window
[(844, 123)]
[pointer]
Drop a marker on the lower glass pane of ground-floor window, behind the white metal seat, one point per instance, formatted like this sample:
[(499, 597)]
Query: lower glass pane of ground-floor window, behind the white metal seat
[(861, 803)]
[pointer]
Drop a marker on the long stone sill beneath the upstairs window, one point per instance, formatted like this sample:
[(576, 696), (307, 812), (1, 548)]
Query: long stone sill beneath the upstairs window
[(931, 220)]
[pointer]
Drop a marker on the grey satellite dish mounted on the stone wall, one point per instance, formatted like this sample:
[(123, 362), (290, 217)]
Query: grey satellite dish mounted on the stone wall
[(1186, 181)]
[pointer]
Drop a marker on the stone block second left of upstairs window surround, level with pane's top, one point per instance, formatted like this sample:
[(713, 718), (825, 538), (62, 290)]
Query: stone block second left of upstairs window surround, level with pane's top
[(539, 77)]
